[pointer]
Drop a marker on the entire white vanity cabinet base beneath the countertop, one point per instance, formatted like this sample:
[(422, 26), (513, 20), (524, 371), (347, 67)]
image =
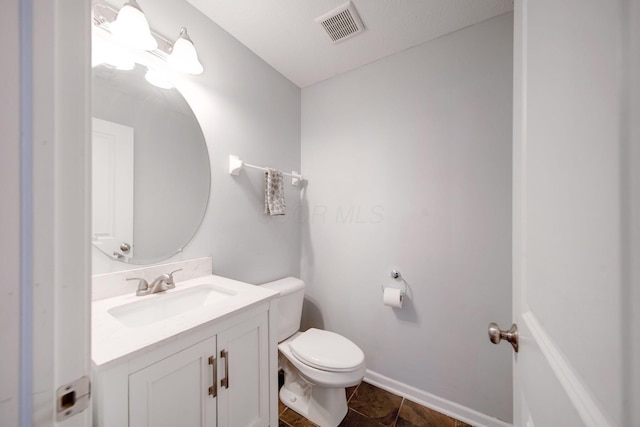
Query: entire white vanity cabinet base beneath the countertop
[(221, 373)]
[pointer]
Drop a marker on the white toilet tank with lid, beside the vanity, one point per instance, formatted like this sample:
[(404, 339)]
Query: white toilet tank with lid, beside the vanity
[(289, 305)]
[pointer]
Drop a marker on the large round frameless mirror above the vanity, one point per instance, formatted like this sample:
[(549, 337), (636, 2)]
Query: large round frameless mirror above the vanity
[(150, 171)]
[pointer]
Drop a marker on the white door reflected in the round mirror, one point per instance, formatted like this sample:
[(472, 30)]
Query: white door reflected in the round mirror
[(112, 180)]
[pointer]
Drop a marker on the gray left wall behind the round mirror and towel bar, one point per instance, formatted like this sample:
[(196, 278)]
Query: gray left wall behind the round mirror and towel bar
[(248, 109)]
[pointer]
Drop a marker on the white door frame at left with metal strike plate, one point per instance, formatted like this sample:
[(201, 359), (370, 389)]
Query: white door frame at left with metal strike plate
[(55, 46)]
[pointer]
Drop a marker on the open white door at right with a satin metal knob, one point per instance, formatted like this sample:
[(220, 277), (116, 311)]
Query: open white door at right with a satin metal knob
[(569, 214)]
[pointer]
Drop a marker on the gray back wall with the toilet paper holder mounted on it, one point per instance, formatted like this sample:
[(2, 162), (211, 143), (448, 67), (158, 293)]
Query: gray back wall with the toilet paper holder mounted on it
[(409, 166)]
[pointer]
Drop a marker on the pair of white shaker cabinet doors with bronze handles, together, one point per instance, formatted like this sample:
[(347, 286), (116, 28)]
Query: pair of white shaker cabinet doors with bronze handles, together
[(222, 381)]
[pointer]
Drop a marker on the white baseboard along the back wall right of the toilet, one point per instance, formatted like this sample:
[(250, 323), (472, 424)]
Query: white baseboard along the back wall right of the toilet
[(436, 403)]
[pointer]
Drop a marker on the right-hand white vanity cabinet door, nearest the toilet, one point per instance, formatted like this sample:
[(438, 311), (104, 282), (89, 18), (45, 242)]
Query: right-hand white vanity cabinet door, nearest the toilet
[(243, 400)]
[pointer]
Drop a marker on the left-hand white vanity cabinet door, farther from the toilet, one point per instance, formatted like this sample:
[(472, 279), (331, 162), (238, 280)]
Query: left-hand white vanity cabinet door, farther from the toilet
[(175, 391)]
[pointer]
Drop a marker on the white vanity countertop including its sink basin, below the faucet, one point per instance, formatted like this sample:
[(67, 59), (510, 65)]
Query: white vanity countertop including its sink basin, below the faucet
[(125, 325)]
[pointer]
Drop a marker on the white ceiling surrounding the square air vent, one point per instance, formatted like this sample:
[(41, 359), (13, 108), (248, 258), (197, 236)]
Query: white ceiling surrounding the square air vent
[(285, 35)]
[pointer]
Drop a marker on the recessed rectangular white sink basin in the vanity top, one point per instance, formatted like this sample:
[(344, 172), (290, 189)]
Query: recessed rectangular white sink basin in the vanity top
[(161, 306)]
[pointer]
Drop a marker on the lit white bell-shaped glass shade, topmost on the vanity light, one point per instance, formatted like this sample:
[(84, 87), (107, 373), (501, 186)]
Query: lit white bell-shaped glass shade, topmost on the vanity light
[(131, 27)]
